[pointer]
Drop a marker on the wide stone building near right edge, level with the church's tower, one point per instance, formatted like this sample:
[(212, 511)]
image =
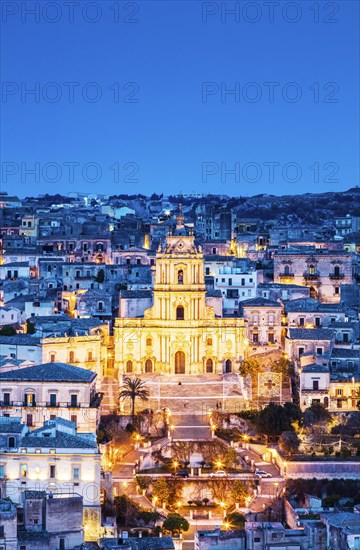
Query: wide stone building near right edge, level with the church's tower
[(322, 270)]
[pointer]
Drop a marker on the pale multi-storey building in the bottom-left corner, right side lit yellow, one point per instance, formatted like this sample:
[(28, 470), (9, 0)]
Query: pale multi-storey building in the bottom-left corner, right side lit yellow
[(52, 458)]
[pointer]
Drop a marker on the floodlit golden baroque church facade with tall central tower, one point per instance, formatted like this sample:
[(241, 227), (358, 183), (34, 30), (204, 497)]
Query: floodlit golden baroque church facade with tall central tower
[(181, 333)]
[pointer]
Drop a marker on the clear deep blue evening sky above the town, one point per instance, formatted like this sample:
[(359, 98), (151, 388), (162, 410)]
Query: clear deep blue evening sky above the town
[(131, 97)]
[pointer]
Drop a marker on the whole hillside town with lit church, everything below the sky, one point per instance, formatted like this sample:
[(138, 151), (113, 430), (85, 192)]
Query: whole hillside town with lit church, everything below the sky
[(180, 372)]
